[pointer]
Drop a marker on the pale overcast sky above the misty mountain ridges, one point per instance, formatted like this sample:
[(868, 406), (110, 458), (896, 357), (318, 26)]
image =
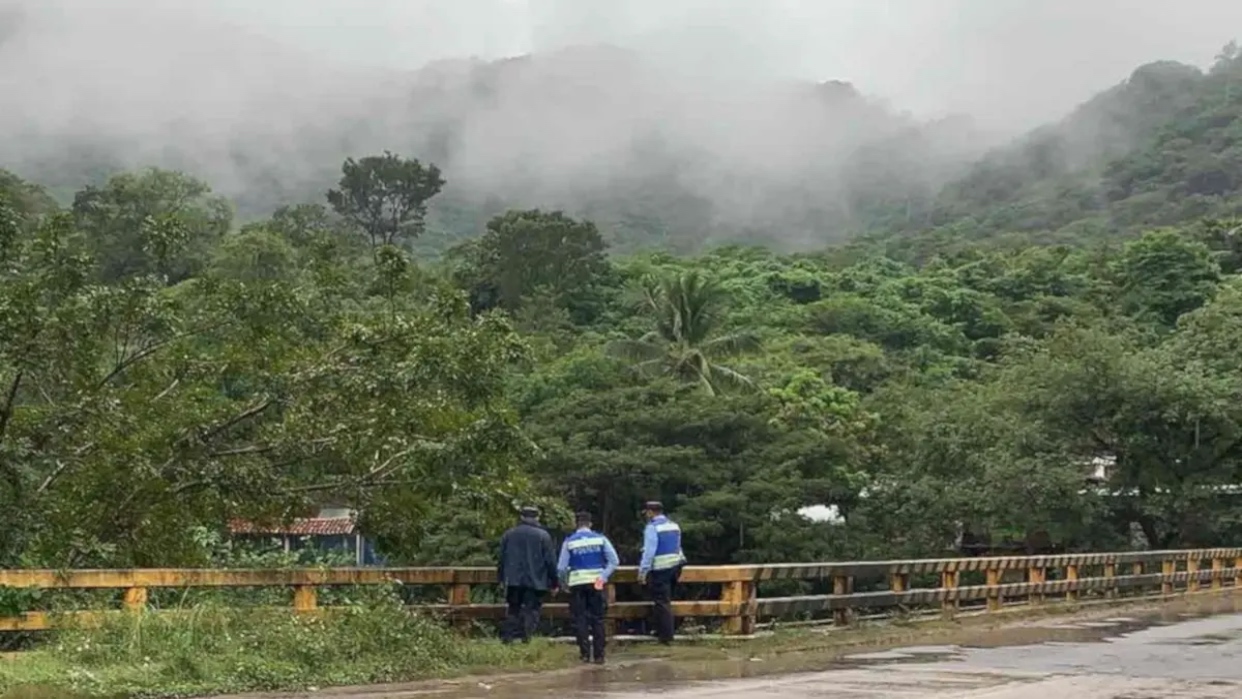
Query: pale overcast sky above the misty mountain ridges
[(1013, 61)]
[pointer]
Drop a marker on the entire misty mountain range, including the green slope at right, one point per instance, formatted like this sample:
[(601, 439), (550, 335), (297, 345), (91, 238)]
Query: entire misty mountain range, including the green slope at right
[(658, 158)]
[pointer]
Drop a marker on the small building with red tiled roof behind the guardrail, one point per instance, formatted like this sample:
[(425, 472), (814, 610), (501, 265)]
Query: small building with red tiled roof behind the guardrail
[(332, 530)]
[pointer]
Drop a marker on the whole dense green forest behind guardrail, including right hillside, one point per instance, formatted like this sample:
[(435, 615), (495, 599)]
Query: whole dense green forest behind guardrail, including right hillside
[(1071, 300)]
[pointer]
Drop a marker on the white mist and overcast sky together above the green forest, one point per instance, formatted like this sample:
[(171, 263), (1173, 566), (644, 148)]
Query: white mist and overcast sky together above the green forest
[(561, 102)]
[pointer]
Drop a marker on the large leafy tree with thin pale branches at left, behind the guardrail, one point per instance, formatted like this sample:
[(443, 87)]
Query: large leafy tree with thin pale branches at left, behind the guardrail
[(135, 413)]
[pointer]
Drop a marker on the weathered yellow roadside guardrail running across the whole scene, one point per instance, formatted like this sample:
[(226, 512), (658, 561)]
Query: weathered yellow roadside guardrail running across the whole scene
[(943, 584)]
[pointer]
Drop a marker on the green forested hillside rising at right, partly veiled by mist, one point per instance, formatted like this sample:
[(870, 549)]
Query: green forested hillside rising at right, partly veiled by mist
[(1163, 148)]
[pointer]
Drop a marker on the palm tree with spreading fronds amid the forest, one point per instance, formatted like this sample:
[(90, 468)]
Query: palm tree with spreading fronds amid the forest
[(687, 312)]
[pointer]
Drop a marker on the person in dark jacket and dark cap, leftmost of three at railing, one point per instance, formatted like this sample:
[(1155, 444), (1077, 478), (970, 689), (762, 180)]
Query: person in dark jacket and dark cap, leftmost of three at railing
[(528, 570)]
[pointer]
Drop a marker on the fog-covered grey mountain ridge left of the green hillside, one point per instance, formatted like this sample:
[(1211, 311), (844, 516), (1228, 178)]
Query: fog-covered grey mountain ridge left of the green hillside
[(661, 158)]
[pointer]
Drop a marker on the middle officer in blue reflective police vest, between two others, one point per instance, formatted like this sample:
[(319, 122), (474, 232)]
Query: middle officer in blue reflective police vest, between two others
[(587, 562)]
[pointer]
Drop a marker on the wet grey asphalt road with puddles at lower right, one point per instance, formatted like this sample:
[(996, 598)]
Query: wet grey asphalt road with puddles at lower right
[(1167, 655)]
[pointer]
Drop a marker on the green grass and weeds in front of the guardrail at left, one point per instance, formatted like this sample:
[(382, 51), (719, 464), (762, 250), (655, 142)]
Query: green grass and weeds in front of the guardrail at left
[(215, 650)]
